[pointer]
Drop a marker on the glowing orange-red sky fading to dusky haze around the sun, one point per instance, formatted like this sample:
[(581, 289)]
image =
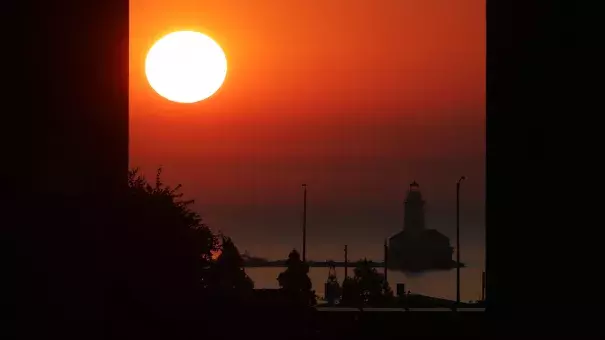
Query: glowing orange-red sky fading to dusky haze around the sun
[(355, 98)]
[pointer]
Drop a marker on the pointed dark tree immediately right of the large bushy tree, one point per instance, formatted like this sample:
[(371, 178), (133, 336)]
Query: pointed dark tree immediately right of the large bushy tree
[(229, 276)]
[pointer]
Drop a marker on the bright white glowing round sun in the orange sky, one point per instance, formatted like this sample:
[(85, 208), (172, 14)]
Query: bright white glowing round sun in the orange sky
[(186, 67)]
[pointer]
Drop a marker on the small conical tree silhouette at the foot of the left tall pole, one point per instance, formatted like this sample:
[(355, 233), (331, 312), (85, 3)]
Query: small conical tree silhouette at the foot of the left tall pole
[(295, 281)]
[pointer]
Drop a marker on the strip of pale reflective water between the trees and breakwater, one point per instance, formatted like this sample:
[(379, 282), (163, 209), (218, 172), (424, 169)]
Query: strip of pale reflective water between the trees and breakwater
[(441, 284)]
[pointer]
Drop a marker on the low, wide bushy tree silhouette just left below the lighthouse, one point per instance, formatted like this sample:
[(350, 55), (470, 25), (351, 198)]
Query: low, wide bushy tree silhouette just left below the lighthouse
[(367, 287)]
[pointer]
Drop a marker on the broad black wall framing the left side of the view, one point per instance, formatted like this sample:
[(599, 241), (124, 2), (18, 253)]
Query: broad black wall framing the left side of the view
[(66, 149)]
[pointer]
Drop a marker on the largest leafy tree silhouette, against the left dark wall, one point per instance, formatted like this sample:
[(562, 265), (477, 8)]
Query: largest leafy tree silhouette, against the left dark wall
[(173, 247)]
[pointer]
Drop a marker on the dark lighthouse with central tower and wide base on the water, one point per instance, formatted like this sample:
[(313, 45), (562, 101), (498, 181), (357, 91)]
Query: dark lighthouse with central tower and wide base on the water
[(416, 248)]
